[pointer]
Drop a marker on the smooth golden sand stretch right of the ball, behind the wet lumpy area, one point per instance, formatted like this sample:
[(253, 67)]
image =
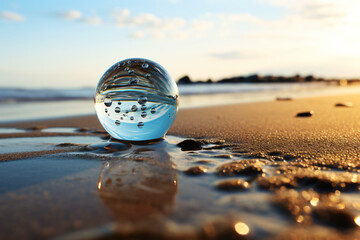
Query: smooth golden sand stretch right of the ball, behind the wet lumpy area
[(331, 132)]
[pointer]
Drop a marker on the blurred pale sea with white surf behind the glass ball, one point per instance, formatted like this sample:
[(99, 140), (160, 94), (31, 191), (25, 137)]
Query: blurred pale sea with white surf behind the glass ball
[(20, 104)]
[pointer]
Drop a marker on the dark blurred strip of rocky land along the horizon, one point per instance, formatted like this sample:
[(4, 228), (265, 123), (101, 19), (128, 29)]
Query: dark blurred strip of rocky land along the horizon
[(255, 78)]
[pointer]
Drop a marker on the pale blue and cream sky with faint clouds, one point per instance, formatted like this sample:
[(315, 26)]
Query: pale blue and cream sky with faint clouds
[(71, 43)]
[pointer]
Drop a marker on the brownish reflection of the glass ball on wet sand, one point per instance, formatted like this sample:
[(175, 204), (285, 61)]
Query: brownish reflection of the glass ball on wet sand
[(140, 185)]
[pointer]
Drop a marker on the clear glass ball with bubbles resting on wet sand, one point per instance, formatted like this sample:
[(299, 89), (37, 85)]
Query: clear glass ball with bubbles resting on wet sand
[(136, 100)]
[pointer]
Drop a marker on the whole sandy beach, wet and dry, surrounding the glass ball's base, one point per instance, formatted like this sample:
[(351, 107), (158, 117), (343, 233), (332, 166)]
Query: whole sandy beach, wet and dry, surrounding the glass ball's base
[(264, 174)]
